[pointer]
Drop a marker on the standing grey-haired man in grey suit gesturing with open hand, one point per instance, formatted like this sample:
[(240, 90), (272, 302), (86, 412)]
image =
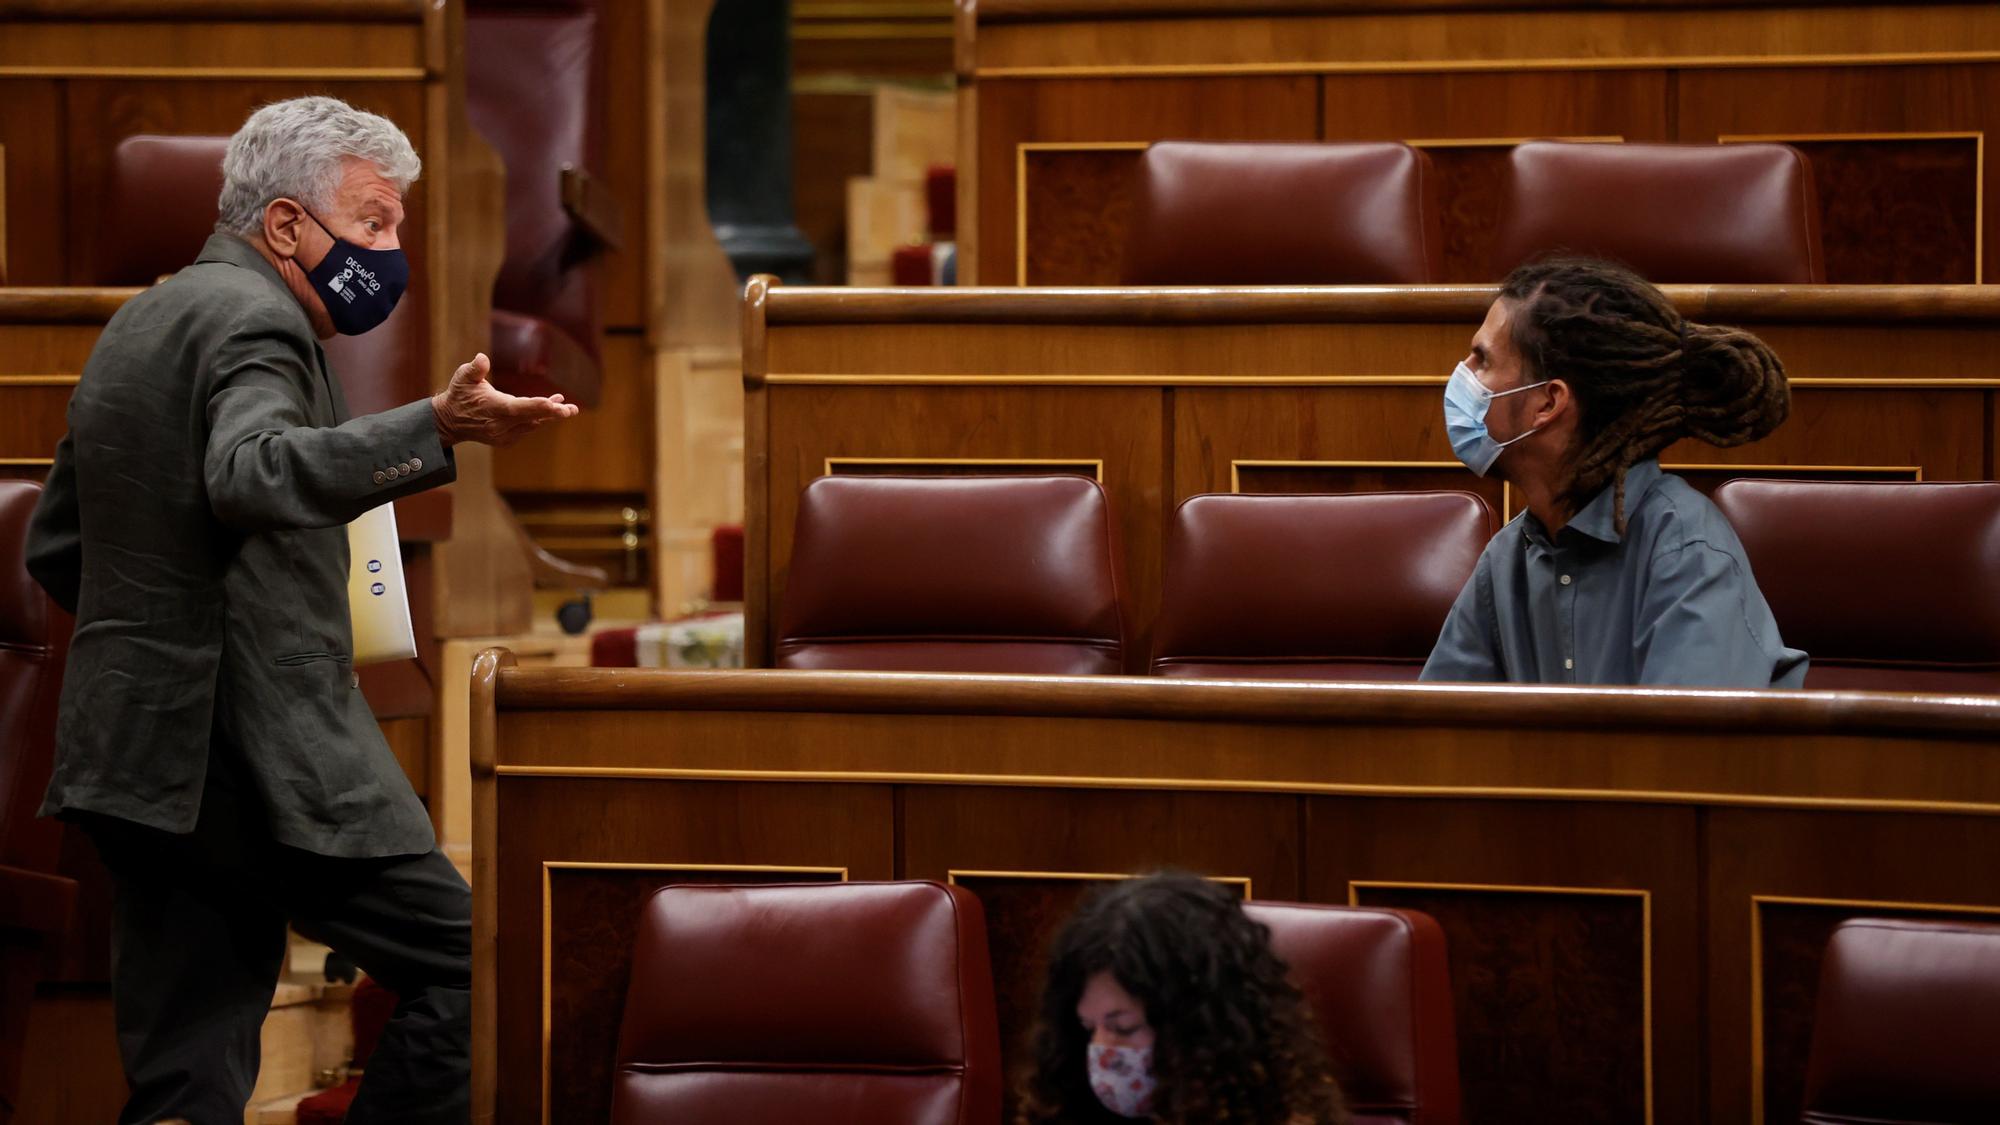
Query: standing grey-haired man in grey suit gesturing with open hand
[(213, 736)]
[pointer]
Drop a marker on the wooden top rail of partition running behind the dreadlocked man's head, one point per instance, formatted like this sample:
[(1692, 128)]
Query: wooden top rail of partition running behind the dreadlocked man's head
[(777, 305)]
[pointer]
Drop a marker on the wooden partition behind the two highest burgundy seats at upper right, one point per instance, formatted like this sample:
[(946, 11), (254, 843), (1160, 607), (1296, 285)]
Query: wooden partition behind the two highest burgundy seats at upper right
[(1893, 103)]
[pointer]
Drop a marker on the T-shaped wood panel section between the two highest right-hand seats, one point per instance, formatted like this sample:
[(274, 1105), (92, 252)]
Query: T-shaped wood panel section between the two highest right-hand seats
[(1469, 123)]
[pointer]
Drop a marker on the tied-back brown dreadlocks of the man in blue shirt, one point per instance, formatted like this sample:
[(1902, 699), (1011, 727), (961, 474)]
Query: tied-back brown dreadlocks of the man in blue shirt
[(1641, 373)]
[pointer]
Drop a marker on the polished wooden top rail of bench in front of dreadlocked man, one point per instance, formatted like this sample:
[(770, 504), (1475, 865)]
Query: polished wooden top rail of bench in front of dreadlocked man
[(1255, 702)]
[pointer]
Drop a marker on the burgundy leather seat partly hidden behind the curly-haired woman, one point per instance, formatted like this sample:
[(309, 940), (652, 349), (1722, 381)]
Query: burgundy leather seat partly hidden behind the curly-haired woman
[(1383, 992)]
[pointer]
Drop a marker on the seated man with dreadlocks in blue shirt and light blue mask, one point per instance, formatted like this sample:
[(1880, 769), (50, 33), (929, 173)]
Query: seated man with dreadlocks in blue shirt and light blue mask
[(1617, 574)]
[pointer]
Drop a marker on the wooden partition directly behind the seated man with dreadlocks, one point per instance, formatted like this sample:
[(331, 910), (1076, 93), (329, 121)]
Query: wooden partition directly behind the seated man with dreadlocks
[(1175, 393)]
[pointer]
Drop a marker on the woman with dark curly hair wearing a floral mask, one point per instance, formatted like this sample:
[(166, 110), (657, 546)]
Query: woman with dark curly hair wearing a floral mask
[(1165, 1002)]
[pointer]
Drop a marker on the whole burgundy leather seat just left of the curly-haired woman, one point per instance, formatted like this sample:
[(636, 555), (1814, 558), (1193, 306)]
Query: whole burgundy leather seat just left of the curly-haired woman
[(839, 1004)]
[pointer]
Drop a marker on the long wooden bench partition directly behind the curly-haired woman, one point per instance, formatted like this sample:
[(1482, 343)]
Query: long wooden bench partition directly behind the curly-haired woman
[(1591, 854)]
